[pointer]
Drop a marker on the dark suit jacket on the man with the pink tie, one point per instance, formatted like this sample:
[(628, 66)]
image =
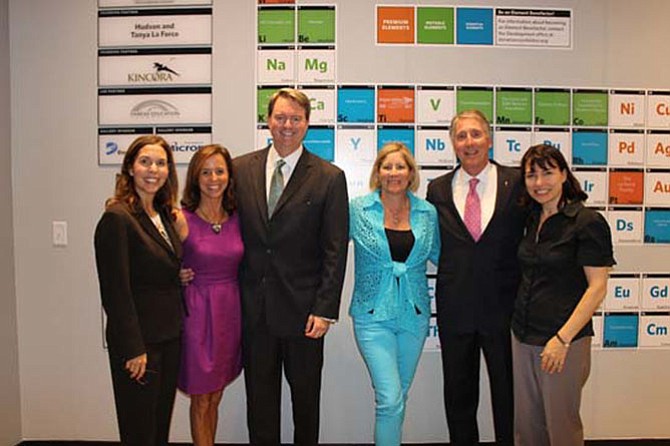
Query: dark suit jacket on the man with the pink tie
[(477, 281)]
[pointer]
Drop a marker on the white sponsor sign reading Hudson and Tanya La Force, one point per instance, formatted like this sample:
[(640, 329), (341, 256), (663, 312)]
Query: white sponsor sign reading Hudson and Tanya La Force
[(154, 27)]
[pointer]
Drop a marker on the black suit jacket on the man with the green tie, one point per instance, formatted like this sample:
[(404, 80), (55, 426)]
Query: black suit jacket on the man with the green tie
[(294, 262)]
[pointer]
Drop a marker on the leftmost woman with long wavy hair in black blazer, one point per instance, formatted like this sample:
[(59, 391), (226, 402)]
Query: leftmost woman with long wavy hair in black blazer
[(138, 256)]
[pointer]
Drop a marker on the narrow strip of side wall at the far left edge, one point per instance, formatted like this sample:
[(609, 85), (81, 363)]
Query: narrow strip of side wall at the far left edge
[(10, 409)]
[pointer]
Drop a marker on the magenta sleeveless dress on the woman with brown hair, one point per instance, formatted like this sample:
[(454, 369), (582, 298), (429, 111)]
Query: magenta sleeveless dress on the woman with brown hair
[(211, 342)]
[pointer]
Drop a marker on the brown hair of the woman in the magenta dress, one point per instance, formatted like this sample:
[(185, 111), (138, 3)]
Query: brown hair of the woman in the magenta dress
[(191, 196)]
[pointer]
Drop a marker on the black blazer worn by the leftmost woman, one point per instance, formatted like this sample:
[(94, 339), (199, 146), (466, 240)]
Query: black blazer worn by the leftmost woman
[(139, 279)]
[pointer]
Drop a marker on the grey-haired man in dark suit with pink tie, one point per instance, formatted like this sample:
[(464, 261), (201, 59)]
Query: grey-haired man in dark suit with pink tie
[(481, 225)]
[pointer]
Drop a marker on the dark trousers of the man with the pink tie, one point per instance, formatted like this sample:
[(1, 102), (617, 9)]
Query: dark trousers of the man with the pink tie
[(460, 367)]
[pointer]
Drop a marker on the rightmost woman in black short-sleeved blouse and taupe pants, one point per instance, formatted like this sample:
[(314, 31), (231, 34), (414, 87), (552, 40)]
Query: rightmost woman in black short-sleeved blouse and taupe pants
[(565, 258)]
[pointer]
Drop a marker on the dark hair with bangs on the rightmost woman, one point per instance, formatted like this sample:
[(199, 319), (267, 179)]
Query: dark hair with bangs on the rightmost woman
[(545, 156)]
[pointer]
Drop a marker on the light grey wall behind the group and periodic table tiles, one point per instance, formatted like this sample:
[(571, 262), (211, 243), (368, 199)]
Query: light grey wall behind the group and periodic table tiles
[(65, 385)]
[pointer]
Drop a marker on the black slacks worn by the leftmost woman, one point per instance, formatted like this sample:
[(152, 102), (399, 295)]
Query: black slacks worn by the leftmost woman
[(144, 408)]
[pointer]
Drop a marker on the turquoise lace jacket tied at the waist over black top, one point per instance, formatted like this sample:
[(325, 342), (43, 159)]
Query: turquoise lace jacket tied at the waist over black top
[(384, 289)]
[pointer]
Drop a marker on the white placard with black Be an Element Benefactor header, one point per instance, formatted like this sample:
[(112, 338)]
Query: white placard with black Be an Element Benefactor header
[(543, 28)]
